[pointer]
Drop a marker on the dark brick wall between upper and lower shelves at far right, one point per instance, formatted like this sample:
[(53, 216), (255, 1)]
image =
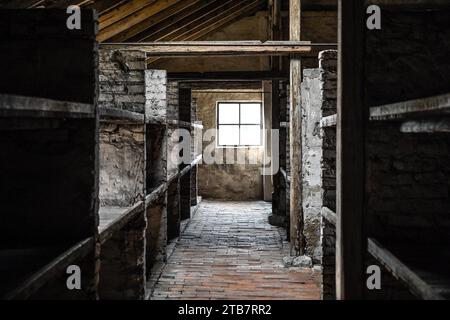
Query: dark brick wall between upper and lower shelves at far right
[(408, 185)]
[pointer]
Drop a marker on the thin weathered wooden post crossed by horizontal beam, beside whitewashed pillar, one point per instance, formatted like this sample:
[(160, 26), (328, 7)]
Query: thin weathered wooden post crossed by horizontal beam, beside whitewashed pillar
[(296, 210)]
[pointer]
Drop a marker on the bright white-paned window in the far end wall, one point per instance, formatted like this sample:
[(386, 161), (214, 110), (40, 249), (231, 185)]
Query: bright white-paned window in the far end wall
[(239, 124)]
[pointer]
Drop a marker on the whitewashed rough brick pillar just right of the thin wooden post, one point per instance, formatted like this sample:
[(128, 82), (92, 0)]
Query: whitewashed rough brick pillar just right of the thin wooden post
[(318, 93)]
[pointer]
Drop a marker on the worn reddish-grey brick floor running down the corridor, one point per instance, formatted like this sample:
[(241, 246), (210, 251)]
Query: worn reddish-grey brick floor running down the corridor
[(229, 251)]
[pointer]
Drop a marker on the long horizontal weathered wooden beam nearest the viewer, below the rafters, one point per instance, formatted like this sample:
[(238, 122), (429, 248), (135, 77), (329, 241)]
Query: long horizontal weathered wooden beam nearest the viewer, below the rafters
[(211, 48)]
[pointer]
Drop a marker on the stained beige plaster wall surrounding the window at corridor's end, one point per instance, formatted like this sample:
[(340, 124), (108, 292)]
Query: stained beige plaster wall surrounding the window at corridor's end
[(228, 181)]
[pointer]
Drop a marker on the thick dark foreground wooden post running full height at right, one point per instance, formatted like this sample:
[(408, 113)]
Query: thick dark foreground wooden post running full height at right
[(351, 132)]
